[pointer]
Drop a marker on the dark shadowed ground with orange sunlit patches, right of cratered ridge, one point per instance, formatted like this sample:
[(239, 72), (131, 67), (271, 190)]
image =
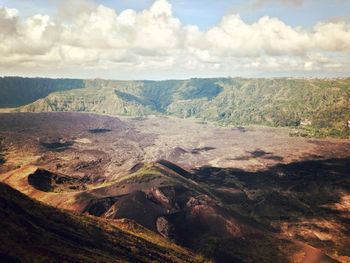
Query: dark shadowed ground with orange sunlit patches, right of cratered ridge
[(304, 195)]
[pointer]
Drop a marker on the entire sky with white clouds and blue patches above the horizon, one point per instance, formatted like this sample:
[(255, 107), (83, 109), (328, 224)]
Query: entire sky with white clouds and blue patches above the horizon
[(162, 39)]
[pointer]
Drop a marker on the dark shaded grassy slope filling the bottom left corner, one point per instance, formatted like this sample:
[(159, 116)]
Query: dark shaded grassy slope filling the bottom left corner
[(31, 231)]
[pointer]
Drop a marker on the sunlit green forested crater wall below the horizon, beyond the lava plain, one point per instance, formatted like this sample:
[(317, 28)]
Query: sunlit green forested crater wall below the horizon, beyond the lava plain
[(317, 107)]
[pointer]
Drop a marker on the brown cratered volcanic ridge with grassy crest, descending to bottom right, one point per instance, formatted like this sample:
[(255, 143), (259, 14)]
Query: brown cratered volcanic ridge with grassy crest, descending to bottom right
[(163, 198)]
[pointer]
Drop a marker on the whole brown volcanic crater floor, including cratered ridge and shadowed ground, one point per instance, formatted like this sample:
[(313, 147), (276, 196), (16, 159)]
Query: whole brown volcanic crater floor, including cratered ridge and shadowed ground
[(234, 194)]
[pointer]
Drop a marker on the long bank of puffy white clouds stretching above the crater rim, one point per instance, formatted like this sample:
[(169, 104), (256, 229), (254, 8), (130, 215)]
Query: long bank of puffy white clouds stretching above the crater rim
[(91, 36)]
